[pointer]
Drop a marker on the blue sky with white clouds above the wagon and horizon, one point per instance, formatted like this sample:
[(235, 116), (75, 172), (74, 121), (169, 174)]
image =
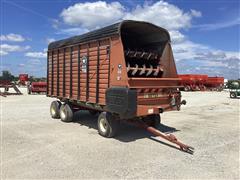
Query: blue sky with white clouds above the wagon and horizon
[(205, 34)]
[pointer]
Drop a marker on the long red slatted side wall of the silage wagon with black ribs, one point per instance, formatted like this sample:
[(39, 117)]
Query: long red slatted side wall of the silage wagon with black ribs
[(70, 77)]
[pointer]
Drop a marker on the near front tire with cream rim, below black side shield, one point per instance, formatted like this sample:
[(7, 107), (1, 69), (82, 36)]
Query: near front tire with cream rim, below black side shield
[(111, 123)]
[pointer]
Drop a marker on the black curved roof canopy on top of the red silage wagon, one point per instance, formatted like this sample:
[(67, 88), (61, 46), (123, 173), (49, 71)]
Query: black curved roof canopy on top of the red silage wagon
[(159, 33)]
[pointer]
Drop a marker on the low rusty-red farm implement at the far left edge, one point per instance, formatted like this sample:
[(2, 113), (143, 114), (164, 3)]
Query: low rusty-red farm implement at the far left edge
[(6, 85)]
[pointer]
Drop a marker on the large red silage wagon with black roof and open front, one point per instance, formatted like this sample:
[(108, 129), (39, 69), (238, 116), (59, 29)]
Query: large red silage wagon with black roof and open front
[(125, 71)]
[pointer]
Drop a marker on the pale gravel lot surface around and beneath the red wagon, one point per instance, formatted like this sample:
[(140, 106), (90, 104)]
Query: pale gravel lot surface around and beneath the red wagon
[(34, 146)]
